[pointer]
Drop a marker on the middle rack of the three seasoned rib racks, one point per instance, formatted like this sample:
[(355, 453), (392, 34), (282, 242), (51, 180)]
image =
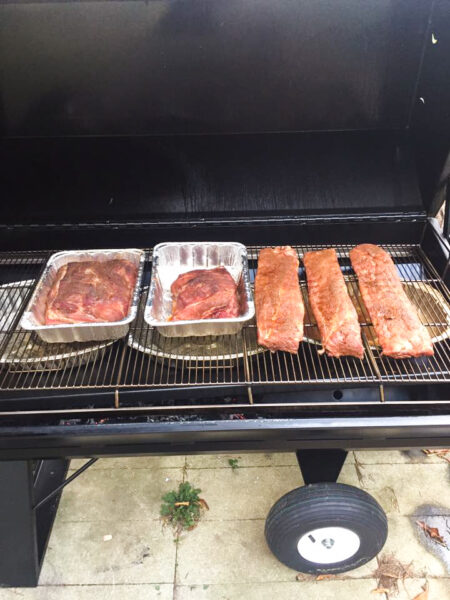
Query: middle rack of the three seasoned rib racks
[(332, 307)]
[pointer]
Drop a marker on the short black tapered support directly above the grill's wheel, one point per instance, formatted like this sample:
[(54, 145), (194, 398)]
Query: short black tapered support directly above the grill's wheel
[(321, 466)]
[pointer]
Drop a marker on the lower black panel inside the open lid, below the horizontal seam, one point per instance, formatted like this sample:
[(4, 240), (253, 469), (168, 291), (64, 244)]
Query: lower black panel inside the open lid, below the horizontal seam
[(254, 175)]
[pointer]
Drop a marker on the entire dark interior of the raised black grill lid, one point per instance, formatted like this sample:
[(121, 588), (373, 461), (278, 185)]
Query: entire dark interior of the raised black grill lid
[(131, 109)]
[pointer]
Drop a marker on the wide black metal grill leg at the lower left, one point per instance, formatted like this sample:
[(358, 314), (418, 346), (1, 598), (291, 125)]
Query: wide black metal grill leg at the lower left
[(24, 532)]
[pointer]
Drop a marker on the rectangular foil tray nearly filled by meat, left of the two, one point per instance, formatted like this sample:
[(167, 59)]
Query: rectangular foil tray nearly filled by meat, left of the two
[(33, 316)]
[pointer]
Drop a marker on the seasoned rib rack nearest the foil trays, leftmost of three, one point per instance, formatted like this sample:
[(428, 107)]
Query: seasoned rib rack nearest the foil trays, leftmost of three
[(278, 300)]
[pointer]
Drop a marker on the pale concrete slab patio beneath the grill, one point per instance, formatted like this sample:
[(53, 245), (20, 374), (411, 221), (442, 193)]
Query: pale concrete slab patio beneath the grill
[(108, 541)]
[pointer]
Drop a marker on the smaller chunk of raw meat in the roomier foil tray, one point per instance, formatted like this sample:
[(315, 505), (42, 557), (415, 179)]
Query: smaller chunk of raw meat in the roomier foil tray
[(204, 294)]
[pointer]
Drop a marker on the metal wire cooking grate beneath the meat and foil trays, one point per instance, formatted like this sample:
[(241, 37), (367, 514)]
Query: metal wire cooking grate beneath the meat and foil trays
[(148, 360)]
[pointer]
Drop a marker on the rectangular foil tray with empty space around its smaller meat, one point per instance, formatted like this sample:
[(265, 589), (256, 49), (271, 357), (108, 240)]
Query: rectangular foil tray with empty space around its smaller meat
[(171, 260)]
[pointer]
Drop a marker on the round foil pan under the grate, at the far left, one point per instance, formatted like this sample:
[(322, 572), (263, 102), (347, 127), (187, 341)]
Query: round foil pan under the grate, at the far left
[(24, 350)]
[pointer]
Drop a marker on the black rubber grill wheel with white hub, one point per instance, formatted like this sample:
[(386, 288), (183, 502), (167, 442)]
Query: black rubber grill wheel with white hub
[(326, 528)]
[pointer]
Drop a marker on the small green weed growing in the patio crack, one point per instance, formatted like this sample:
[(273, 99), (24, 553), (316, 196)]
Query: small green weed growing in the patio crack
[(182, 508)]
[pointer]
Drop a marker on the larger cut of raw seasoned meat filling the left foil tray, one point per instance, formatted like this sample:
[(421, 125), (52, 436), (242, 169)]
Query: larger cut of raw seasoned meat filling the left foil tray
[(91, 292)]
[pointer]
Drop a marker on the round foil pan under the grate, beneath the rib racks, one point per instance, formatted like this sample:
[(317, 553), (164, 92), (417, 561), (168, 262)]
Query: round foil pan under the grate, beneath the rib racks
[(432, 309)]
